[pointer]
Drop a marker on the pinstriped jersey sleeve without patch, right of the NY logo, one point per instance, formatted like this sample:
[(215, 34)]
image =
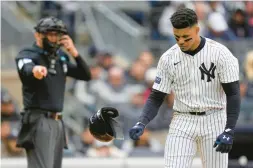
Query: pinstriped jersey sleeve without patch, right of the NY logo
[(228, 67)]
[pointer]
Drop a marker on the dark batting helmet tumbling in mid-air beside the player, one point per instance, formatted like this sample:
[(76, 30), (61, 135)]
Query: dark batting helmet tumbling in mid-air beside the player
[(103, 127)]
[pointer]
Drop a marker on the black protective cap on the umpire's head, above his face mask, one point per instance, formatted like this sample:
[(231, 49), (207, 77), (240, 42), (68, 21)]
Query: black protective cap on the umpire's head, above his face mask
[(51, 24)]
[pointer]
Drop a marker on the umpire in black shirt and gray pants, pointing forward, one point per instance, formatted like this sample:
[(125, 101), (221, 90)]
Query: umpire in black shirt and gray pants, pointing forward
[(43, 69)]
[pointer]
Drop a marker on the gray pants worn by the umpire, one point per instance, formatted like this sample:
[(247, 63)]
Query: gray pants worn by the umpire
[(48, 142)]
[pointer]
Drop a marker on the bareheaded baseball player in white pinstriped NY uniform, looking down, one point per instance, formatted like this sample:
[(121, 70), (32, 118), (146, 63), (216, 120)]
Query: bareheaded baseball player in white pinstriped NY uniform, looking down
[(203, 74)]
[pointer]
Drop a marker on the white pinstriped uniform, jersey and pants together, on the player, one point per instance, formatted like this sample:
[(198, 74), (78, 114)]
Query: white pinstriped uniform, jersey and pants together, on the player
[(196, 82)]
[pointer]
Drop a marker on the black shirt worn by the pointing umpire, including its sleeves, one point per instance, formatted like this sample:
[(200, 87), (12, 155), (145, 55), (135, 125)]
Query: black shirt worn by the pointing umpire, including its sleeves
[(47, 93)]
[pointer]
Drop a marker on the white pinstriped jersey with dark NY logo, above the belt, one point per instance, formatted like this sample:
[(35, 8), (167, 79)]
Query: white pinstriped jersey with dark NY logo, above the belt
[(196, 80)]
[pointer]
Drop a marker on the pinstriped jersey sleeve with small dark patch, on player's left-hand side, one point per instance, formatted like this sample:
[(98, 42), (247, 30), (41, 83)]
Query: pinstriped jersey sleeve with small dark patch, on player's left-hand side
[(164, 77)]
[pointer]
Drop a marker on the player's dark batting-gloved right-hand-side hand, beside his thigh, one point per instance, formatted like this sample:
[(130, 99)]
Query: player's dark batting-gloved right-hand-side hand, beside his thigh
[(224, 141)]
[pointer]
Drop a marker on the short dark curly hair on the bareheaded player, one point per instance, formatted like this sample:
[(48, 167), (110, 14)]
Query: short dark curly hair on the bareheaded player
[(183, 18)]
